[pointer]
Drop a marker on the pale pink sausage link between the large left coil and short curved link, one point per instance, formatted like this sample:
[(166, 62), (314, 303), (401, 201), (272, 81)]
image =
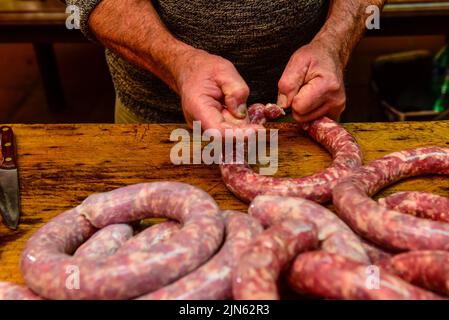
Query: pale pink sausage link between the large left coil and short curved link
[(213, 281)]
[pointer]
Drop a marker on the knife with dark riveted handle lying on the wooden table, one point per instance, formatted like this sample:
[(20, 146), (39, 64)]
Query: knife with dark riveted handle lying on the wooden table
[(9, 181)]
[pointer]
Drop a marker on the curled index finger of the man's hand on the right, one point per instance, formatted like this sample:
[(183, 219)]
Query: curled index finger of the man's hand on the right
[(310, 97)]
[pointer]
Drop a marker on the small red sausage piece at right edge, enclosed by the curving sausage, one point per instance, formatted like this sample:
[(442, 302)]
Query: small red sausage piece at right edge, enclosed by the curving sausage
[(420, 204)]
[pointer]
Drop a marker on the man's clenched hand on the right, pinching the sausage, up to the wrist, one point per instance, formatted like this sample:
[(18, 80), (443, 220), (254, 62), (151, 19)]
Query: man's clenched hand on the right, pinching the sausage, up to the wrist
[(312, 83)]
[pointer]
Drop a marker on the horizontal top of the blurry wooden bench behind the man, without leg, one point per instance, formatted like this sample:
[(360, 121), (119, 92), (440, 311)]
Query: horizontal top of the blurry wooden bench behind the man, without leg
[(44, 20)]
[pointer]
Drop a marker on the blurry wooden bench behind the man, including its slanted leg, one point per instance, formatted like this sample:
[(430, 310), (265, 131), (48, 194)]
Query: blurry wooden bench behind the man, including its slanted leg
[(42, 23)]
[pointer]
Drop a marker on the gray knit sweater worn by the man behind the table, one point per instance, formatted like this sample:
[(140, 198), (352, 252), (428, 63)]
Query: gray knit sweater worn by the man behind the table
[(258, 36)]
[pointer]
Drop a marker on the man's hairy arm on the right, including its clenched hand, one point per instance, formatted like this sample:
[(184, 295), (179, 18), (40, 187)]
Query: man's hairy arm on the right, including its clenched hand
[(312, 82)]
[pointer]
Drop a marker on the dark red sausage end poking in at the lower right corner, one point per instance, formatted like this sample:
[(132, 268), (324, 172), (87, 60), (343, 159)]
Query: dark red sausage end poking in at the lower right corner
[(429, 269)]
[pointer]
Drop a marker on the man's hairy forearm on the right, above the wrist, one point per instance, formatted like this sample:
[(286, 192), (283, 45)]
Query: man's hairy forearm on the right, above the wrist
[(346, 25)]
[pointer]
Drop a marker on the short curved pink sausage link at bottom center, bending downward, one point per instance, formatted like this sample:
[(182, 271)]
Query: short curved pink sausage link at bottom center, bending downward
[(256, 274)]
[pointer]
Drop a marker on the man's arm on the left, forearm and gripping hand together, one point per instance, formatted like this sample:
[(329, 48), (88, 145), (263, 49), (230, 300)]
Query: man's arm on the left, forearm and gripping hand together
[(210, 87)]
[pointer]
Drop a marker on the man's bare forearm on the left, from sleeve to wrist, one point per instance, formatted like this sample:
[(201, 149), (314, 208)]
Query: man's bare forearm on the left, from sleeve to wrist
[(133, 29)]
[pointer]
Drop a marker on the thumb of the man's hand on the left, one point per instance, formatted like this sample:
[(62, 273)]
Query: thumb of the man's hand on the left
[(235, 92)]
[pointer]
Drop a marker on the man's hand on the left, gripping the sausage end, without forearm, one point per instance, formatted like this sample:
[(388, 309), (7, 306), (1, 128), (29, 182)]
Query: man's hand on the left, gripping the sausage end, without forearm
[(212, 91)]
